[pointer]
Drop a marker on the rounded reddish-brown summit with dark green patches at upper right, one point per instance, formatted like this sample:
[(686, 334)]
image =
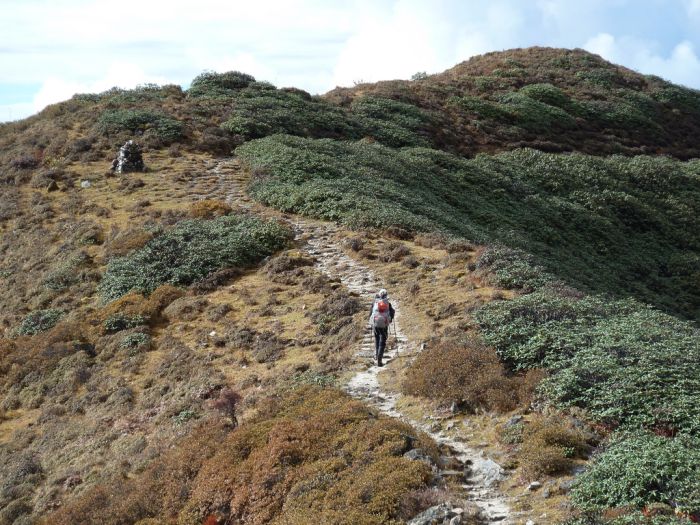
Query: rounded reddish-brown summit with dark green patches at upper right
[(550, 99)]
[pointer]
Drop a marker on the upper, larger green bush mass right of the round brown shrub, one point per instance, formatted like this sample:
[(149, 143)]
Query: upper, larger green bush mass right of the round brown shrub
[(621, 361)]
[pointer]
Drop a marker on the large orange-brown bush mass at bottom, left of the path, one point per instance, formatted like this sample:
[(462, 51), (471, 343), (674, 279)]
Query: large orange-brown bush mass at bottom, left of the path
[(313, 456)]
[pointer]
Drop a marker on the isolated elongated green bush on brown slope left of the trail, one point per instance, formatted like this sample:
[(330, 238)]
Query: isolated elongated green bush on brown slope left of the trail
[(191, 251)]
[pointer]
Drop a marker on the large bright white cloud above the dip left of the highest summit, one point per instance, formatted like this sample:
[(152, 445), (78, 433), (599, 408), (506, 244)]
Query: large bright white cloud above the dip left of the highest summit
[(411, 36)]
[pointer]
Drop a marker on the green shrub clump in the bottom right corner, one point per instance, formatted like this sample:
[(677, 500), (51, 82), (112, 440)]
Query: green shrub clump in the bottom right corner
[(639, 469)]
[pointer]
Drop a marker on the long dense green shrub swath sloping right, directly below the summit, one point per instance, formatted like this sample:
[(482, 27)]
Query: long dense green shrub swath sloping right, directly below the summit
[(625, 226)]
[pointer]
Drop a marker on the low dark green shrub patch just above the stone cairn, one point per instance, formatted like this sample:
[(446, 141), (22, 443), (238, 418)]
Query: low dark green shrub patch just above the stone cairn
[(114, 121)]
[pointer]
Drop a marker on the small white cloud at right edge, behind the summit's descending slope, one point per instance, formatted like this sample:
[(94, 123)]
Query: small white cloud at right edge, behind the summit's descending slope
[(681, 65)]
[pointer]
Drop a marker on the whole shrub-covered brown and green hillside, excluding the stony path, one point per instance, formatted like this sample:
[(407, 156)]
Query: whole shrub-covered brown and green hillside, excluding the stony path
[(169, 355)]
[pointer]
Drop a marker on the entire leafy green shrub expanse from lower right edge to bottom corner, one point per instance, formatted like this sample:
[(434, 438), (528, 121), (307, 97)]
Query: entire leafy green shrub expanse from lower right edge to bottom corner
[(630, 368)]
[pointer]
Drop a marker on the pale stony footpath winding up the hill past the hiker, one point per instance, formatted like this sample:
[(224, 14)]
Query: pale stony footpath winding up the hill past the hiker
[(475, 476)]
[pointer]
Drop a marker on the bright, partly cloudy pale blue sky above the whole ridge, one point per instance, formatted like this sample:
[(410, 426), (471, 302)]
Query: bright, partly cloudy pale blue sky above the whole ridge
[(52, 49)]
